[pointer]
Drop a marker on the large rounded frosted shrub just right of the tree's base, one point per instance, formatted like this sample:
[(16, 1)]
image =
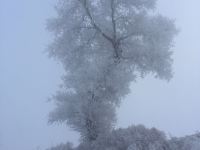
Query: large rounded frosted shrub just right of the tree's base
[(132, 138)]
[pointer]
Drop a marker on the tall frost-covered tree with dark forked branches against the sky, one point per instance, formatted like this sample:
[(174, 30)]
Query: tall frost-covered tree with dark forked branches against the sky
[(103, 46)]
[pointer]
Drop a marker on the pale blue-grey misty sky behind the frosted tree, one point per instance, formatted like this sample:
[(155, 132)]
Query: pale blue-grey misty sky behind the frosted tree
[(28, 77)]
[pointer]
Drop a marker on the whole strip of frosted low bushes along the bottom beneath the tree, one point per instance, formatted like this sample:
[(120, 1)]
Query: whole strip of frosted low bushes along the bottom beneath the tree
[(136, 138)]
